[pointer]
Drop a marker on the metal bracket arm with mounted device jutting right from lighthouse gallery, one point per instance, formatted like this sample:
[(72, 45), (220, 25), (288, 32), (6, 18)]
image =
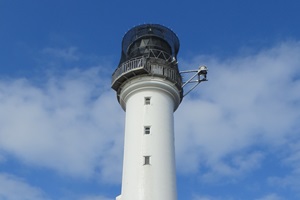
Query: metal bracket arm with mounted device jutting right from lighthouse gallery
[(199, 75)]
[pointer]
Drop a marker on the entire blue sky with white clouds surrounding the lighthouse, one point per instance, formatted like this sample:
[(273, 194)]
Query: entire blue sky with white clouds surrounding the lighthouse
[(61, 128)]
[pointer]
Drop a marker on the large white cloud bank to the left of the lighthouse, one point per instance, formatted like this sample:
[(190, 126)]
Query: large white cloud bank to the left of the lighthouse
[(73, 124)]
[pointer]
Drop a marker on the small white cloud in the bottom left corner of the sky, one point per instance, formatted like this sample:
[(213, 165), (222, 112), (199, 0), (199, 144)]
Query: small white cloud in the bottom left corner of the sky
[(13, 188)]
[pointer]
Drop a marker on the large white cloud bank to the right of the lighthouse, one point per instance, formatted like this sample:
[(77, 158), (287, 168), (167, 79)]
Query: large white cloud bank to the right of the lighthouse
[(249, 100)]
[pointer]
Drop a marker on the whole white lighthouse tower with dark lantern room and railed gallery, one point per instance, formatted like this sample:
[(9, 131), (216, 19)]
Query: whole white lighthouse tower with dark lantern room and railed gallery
[(149, 89)]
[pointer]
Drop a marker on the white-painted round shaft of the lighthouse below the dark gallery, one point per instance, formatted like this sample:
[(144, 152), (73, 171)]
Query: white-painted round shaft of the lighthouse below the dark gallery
[(156, 181)]
